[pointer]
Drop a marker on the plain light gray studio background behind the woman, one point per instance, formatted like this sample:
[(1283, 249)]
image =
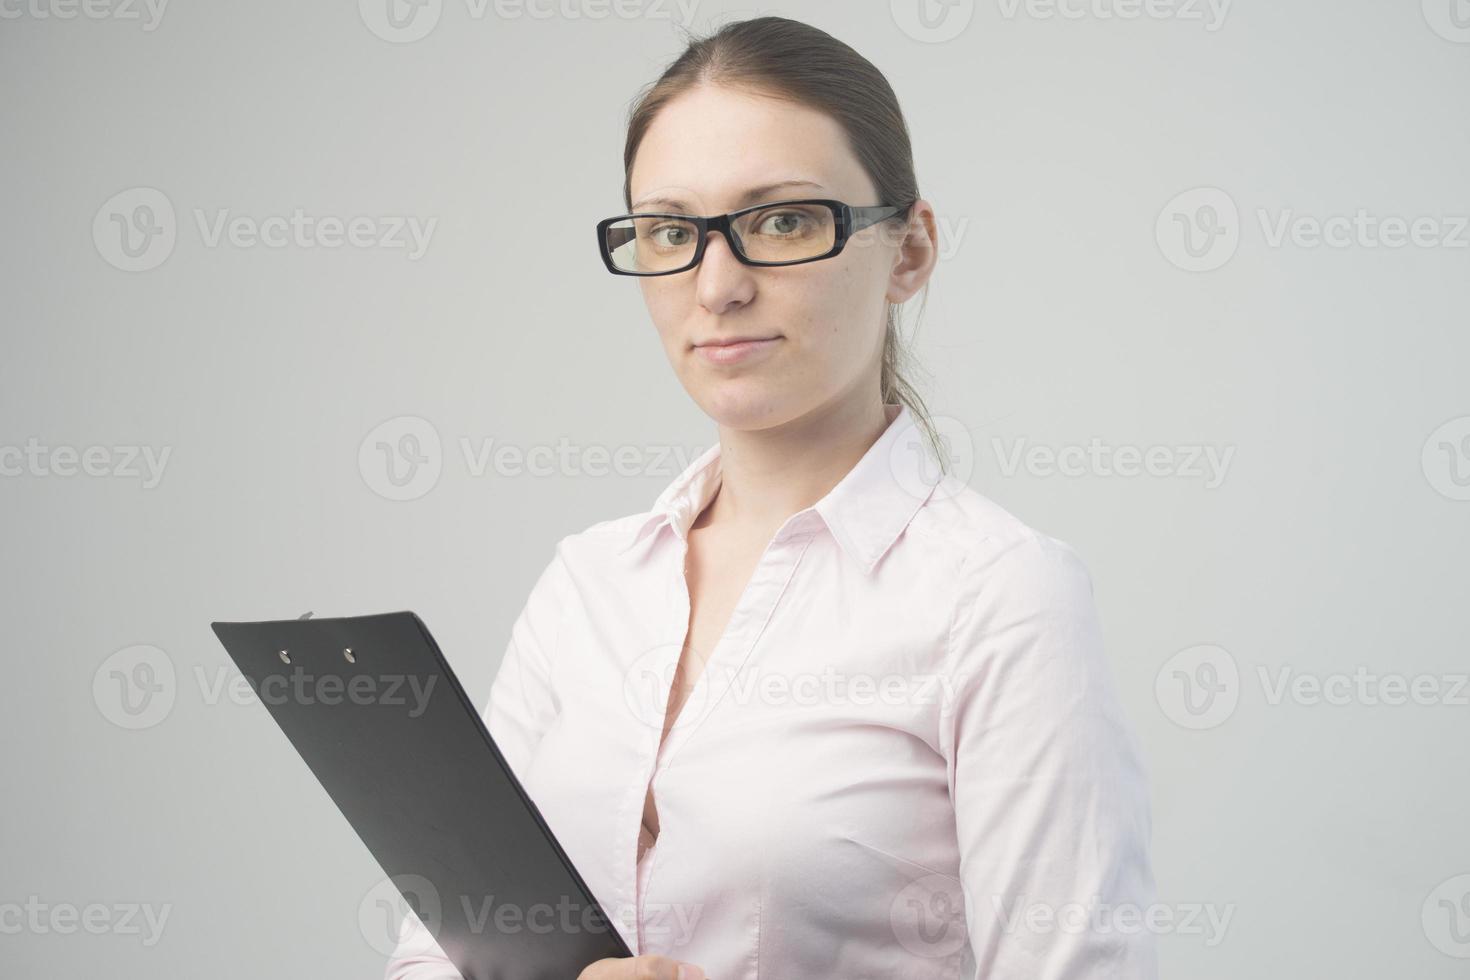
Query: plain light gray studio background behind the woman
[(1066, 309)]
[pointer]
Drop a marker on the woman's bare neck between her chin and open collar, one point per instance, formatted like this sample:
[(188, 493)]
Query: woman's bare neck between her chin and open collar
[(767, 475)]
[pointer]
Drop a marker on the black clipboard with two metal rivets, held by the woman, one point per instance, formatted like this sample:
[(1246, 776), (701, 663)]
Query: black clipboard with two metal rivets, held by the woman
[(383, 722)]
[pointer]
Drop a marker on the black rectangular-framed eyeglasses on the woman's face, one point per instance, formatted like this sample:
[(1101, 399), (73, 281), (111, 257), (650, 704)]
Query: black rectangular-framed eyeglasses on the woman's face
[(777, 234)]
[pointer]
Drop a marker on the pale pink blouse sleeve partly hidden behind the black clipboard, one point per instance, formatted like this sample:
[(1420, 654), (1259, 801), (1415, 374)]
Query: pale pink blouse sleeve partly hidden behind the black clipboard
[(521, 707)]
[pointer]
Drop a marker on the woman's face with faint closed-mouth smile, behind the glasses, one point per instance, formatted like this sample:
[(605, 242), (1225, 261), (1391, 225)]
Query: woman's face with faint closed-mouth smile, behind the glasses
[(715, 151)]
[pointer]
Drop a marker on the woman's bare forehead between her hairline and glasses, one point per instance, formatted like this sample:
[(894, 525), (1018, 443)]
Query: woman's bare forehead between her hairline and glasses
[(712, 146)]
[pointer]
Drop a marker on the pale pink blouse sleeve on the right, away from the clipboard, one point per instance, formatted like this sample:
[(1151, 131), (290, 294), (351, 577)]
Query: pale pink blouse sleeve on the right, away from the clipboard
[(1049, 788)]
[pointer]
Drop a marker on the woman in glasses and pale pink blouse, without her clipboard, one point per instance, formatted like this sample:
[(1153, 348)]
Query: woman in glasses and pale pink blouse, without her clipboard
[(852, 719)]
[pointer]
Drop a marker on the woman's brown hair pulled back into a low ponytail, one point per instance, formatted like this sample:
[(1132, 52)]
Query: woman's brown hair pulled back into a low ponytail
[(795, 61)]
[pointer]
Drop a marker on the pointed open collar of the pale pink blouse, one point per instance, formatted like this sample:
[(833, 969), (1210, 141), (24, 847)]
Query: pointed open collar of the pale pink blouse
[(867, 512)]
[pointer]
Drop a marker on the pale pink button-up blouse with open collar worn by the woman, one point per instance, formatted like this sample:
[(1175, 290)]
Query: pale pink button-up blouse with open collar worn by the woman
[(905, 759)]
